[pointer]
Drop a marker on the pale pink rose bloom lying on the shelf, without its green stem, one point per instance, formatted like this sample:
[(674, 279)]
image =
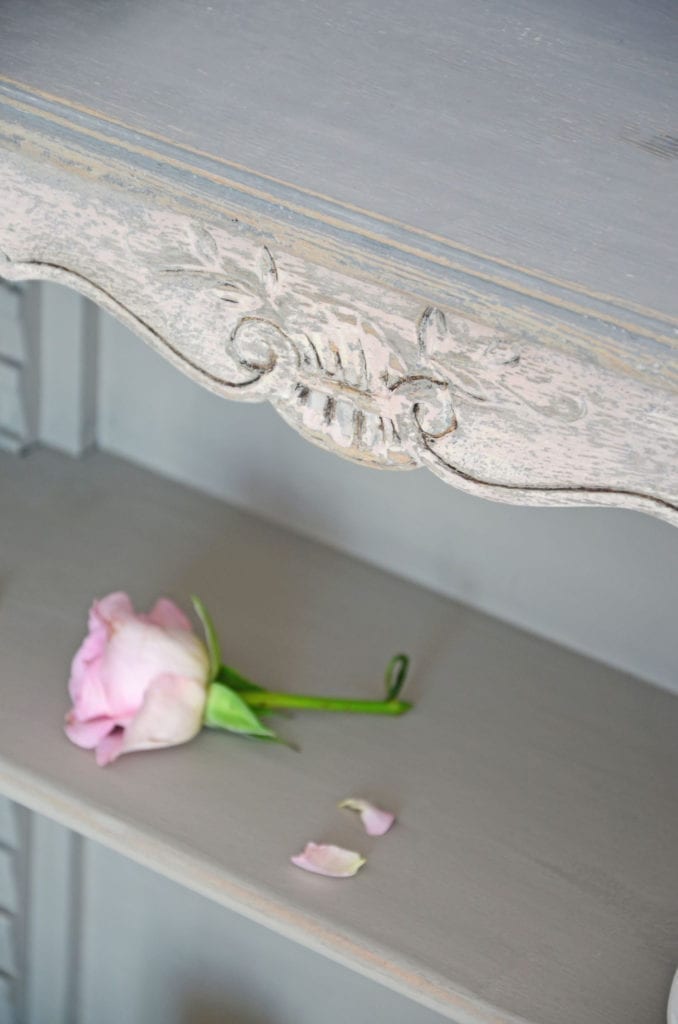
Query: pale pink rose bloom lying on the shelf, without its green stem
[(138, 682)]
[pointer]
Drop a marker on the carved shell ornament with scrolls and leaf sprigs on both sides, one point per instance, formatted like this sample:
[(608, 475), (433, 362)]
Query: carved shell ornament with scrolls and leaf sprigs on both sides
[(341, 380)]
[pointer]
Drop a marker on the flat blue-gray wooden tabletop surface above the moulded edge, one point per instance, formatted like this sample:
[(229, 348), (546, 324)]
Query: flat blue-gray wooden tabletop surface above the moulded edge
[(542, 135)]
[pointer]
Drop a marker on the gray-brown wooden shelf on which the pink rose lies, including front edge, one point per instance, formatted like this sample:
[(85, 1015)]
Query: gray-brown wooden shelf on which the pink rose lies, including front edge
[(533, 875)]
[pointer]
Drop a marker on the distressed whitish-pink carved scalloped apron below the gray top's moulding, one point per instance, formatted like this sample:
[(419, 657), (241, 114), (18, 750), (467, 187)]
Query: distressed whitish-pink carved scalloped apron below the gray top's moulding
[(378, 375)]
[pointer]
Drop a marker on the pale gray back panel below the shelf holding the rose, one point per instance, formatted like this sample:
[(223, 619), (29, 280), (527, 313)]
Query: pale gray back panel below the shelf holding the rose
[(153, 951)]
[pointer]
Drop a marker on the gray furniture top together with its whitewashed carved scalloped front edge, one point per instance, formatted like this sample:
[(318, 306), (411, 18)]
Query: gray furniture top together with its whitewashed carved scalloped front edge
[(435, 235)]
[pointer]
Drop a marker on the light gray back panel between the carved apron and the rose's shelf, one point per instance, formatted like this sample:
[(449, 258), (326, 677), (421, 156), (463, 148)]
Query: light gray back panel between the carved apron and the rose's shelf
[(602, 581)]
